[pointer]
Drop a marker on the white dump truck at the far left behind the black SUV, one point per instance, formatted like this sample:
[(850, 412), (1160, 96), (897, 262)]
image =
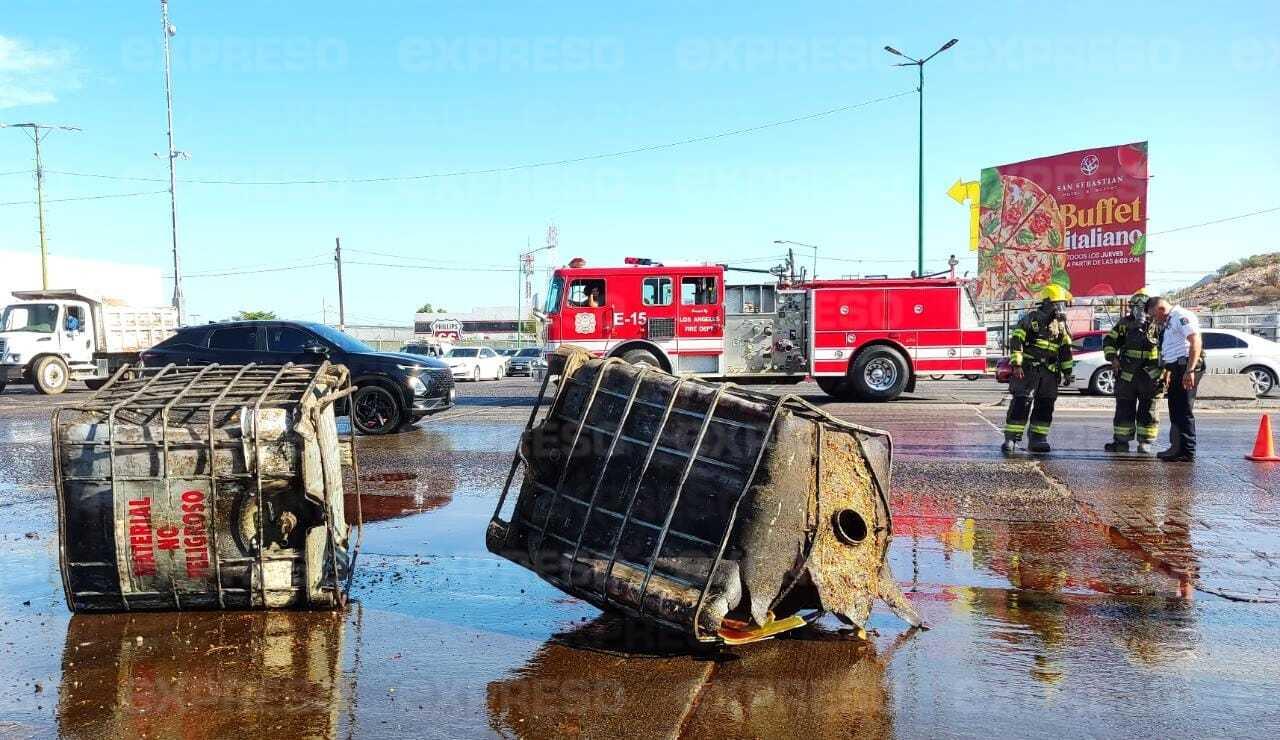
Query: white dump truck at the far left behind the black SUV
[(49, 339)]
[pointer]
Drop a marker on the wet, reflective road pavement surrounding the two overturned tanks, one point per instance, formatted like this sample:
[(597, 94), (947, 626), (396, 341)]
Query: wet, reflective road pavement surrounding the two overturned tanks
[(1073, 596)]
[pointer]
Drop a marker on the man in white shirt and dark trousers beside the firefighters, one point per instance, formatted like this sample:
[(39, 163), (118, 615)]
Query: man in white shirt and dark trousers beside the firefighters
[(1183, 360)]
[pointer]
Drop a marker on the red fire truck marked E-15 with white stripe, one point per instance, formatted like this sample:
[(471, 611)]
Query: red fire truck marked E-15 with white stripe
[(861, 339)]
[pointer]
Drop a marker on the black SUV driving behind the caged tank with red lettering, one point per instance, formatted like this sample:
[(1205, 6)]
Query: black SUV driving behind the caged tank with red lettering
[(392, 390)]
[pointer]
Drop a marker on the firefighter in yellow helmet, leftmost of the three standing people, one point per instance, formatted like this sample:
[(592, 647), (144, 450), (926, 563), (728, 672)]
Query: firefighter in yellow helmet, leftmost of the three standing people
[(1040, 353)]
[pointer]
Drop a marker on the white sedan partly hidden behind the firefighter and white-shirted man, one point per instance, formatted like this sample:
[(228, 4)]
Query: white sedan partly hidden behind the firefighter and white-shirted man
[(1226, 351)]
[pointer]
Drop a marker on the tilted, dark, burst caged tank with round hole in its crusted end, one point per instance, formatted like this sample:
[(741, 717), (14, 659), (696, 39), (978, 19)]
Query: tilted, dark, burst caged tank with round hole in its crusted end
[(724, 514)]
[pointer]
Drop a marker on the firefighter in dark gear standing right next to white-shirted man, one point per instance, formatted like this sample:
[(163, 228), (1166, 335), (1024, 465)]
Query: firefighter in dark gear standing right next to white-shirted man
[(1133, 349)]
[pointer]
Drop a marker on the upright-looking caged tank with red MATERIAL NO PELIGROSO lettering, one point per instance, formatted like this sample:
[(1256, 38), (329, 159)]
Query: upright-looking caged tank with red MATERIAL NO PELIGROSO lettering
[(207, 488)]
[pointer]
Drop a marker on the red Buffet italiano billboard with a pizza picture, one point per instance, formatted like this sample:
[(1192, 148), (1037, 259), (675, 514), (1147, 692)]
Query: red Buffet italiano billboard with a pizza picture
[(1077, 220)]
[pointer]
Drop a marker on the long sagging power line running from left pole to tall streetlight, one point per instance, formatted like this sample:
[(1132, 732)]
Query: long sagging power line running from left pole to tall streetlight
[(518, 167)]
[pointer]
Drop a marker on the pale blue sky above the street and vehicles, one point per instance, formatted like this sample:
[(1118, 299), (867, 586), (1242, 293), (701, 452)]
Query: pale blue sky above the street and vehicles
[(269, 92)]
